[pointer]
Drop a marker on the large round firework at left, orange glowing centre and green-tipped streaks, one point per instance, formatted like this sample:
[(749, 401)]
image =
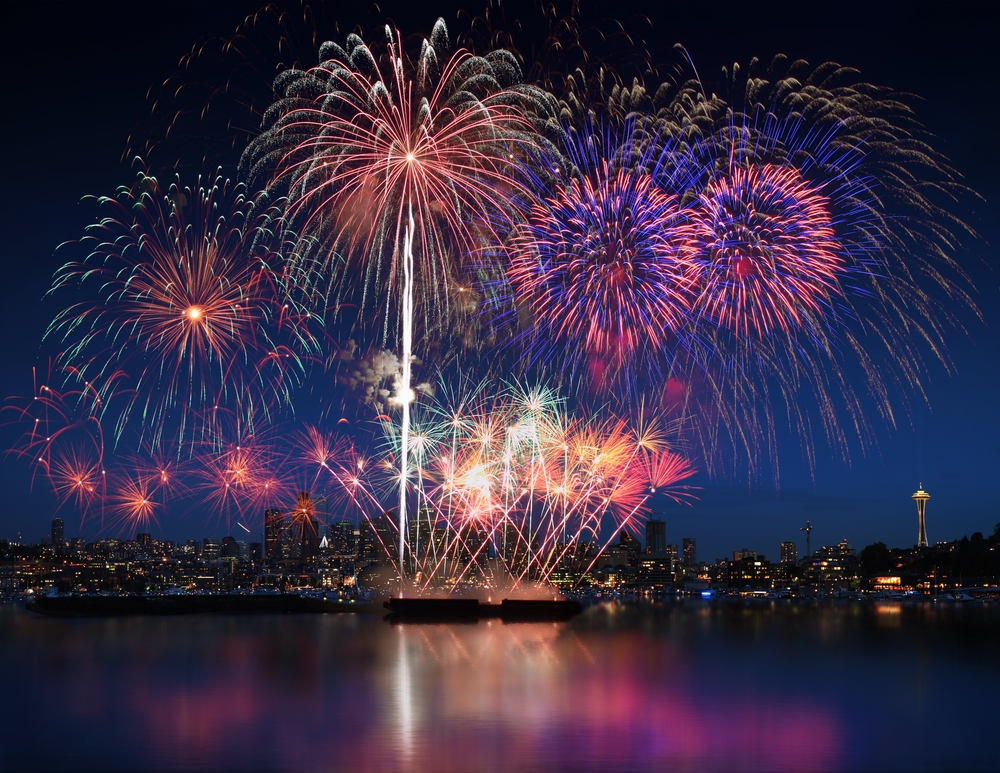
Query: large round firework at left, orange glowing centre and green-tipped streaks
[(192, 307)]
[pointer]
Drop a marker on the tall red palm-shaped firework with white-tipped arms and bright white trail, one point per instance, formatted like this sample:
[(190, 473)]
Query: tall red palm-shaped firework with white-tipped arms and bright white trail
[(391, 161)]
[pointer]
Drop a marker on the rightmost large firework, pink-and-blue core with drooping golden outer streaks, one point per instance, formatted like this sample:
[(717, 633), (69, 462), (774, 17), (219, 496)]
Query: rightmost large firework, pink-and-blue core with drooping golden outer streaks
[(816, 249)]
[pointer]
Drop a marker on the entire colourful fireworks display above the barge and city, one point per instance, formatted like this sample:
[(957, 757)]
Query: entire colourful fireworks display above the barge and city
[(726, 254)]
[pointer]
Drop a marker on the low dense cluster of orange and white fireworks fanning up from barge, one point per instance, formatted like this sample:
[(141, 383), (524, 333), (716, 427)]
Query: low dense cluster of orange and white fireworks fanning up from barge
[(515, 476)]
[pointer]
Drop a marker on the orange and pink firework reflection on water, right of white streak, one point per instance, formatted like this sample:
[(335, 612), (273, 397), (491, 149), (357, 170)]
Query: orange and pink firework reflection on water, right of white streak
[(563, 699)]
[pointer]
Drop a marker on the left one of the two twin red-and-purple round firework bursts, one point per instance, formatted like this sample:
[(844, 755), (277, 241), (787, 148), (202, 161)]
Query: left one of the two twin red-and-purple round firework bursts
[(602, 268)]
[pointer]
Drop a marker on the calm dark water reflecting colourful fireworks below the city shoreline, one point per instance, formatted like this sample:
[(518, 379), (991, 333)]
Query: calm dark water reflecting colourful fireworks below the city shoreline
[(679, 688)]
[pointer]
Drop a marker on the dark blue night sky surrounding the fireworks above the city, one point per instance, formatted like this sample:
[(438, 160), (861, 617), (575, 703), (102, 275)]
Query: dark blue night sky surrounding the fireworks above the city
[(77, 86)]
